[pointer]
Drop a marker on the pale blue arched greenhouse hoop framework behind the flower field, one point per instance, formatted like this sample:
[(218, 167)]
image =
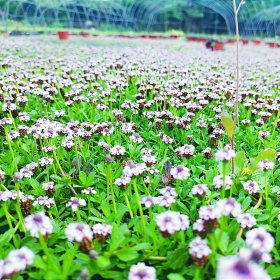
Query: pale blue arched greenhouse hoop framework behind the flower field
[(130, 13)]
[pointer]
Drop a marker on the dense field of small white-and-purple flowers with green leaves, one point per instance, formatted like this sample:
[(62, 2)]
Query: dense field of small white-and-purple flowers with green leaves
[(117, 163)]
